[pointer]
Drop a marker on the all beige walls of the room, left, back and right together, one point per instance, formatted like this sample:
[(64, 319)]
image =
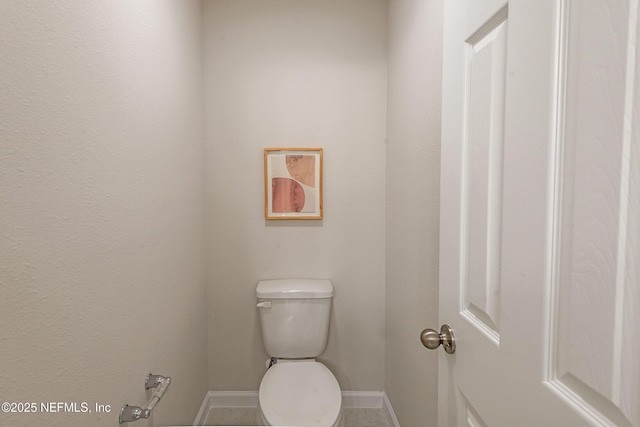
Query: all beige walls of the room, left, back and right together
[(102, 194)]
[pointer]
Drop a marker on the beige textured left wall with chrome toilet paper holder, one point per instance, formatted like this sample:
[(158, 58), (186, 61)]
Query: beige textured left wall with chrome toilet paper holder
[(102, 273)]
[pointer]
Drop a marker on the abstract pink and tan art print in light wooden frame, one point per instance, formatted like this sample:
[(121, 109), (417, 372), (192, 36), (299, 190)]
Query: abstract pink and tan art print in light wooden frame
[(293, 183)]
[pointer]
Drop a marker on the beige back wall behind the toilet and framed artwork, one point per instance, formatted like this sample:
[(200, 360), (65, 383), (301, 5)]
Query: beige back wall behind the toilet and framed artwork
[(296, 73)]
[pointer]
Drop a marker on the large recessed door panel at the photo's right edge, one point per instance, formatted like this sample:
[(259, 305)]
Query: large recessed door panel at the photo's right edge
[(595, 254)]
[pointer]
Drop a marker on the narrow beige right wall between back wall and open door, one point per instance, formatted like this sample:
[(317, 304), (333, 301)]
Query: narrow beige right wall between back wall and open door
[(413, 169)]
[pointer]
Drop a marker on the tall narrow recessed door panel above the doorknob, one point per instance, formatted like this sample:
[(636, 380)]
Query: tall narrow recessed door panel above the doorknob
[(486, 53)]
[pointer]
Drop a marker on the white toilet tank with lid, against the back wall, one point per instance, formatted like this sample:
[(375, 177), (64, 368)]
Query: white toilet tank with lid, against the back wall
[(294, 315)]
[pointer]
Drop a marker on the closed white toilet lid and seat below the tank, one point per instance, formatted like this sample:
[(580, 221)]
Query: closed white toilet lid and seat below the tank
[(300, 393)]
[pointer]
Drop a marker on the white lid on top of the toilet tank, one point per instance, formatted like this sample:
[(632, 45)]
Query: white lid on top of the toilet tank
[(294, 288)]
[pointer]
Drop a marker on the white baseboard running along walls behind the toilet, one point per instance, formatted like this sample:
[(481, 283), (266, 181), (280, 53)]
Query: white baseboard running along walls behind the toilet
[(249, 399)]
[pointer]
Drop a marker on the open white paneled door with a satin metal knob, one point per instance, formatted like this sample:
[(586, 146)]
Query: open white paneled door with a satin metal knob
[(540, 214)]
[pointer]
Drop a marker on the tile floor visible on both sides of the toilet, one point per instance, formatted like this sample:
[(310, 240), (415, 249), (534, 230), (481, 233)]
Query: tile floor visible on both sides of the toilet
[(353, 417)]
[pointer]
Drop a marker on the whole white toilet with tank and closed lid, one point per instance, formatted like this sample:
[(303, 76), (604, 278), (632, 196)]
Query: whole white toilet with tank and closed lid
[(297, 390)]
